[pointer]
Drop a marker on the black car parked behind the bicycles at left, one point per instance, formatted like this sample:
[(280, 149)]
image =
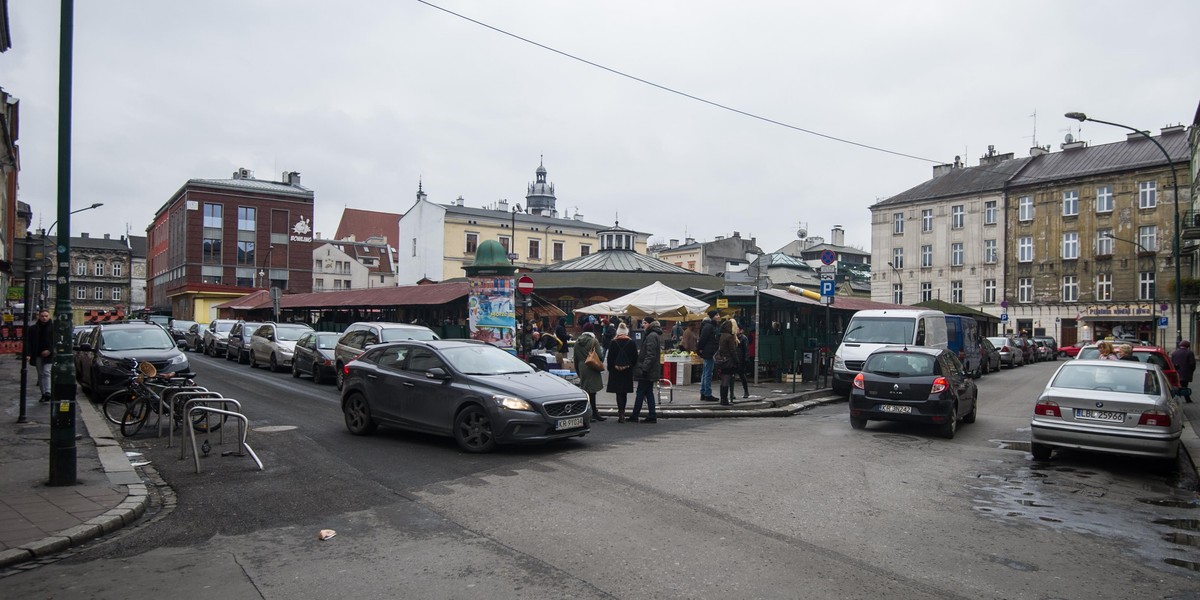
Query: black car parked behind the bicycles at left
[(104, 355)]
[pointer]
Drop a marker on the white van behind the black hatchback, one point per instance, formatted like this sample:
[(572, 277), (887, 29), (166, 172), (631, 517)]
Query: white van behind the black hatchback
[(872, 331)]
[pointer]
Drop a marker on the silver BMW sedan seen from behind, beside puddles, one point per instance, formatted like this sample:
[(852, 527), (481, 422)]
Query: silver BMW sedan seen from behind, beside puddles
[(1107, 406)]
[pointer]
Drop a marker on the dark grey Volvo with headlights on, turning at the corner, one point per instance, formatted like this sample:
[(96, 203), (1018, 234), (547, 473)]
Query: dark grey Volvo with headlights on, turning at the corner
[(477, 393)]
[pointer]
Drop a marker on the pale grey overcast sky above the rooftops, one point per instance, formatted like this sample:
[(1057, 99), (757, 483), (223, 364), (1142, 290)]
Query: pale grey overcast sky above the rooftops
[(367, 98)]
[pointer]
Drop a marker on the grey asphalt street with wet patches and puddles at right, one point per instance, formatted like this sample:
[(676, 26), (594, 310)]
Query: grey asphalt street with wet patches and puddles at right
[(800, 507)]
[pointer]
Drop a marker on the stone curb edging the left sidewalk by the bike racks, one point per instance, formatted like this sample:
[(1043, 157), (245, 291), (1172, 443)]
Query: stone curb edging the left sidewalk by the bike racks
[(119, 471)]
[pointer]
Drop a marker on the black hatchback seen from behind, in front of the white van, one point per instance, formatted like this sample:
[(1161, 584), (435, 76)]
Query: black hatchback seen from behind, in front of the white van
[(914, 385)]
